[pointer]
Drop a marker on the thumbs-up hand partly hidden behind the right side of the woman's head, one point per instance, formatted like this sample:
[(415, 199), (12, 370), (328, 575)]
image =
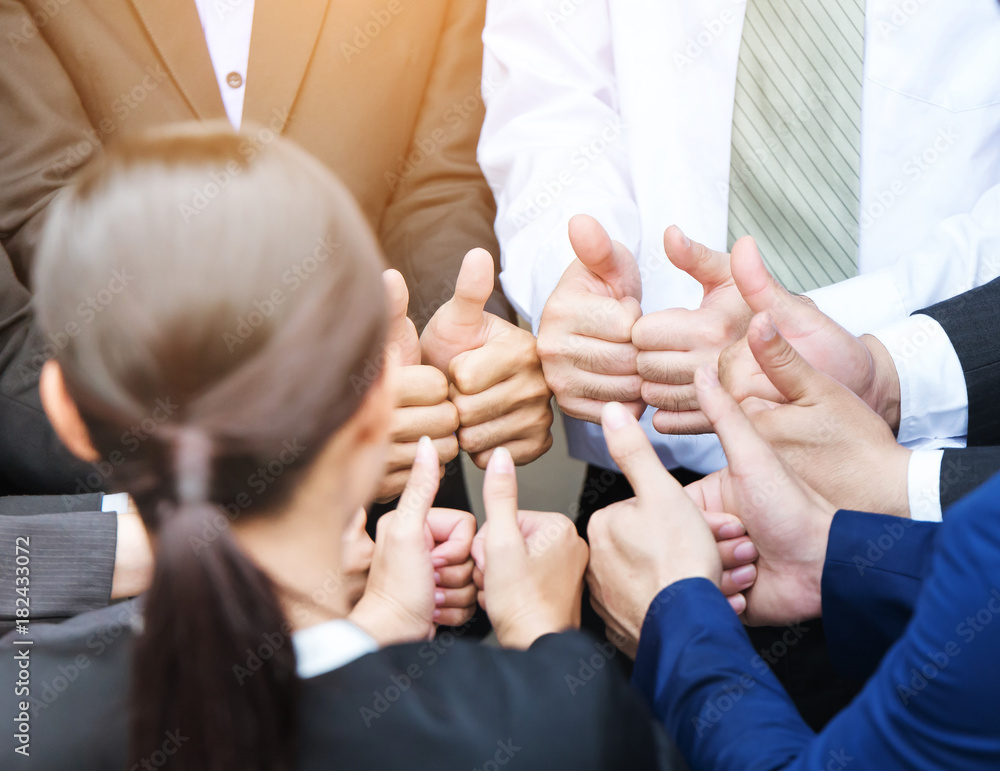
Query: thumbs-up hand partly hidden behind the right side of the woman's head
[(420, 396)]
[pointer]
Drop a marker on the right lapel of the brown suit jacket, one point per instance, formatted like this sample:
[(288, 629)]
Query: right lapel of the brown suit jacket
[(282, 44)]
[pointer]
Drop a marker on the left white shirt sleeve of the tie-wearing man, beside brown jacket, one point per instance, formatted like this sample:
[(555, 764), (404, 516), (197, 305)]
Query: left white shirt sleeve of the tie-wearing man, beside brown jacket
[(553, 142)]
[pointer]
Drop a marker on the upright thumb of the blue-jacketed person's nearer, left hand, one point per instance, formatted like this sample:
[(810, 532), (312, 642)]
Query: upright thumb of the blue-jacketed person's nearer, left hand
[(631, 450)]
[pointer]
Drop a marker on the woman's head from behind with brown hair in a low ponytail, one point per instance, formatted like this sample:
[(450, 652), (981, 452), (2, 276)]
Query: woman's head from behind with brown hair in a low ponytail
[(224, 313)]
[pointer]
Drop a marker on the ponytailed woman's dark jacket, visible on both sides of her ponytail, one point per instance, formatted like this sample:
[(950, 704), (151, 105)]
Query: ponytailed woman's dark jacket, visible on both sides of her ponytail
[(437, 705)]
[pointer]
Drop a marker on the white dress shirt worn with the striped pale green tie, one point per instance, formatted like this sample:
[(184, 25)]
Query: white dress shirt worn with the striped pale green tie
[(622, 109)]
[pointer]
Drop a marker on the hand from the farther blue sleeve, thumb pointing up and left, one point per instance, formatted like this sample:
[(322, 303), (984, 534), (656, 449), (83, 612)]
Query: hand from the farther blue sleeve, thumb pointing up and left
[(787, 520)]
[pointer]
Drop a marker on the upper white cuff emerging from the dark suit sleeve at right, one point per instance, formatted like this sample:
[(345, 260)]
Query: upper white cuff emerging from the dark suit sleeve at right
[(933, 398)]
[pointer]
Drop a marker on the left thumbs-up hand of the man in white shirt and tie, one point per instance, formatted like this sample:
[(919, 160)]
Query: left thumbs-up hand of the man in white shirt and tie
[(585, 333)]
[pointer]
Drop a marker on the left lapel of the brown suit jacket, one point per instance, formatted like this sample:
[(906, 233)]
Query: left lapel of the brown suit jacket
[(175, 30)]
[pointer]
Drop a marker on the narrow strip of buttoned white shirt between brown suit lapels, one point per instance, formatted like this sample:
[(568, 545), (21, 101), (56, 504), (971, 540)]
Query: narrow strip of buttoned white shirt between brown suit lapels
[(227, 25)]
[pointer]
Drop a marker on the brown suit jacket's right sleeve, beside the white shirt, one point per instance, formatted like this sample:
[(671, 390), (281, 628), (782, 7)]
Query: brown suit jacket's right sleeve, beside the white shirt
[(441, 206)]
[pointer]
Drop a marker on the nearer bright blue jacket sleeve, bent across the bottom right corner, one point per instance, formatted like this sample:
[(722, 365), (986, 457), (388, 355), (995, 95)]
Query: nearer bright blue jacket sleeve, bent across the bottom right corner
[(930, 704)]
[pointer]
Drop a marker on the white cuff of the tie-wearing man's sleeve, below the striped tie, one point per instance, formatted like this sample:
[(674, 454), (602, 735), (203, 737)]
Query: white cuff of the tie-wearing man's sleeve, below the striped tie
[(862, 303)]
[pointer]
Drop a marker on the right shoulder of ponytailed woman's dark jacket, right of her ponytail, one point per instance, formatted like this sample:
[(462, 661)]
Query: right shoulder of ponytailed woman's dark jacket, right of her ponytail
[(435, 705)]
